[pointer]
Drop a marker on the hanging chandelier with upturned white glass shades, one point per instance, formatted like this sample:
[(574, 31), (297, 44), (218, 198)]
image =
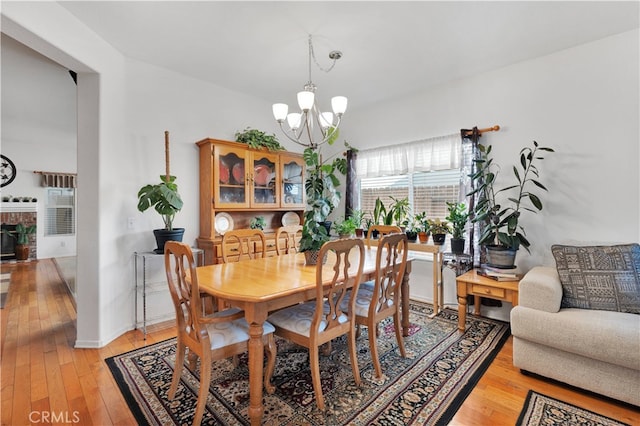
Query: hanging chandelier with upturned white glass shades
[(301, 125)]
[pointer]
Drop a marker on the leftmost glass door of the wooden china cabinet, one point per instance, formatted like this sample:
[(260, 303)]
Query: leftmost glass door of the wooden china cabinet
[(230, 179)]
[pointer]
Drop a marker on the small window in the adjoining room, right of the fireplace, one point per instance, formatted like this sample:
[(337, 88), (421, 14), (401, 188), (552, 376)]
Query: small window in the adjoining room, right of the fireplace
[(60, 218)]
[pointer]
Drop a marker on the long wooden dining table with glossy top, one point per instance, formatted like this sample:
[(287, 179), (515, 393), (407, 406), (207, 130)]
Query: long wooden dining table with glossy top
[(260, 286)]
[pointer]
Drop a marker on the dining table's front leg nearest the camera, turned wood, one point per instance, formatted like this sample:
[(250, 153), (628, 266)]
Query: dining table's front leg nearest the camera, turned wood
[(256, 358)]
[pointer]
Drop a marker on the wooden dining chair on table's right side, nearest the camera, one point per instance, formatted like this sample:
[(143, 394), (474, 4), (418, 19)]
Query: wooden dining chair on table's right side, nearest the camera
[(314, 323)]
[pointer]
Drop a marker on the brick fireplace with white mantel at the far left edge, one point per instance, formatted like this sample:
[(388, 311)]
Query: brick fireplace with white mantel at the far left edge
[(12, 214)]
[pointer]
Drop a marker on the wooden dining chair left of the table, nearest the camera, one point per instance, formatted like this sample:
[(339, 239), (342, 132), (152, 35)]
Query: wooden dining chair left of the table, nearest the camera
[(220, 335)]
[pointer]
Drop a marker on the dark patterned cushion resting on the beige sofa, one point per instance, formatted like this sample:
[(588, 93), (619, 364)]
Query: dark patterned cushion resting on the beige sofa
[(599, 277)]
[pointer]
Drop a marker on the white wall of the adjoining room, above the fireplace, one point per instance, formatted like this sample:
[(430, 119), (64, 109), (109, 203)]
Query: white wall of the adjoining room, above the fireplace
[(38, 130)]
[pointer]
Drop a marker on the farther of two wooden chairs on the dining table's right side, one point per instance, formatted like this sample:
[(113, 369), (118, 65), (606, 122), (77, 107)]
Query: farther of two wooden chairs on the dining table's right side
[(372, 305)]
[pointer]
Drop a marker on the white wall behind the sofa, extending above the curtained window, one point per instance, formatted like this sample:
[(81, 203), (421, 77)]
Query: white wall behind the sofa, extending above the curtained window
[(583, 102)]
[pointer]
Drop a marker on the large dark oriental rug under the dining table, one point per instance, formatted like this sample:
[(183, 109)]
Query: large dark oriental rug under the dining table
[(427, 387)]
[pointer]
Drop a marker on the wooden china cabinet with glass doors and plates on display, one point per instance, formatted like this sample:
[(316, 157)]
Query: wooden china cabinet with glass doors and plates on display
[(238, 183)]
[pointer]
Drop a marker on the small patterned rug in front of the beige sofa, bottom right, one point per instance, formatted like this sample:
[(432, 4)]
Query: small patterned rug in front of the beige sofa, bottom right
[(542, 410)]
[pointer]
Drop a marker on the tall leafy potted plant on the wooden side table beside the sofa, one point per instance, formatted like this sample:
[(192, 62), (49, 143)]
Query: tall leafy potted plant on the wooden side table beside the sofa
[(499, 209)]
